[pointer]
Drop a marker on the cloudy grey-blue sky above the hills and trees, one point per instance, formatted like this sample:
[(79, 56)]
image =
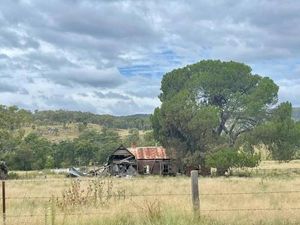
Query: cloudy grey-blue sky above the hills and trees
[(108, 57)]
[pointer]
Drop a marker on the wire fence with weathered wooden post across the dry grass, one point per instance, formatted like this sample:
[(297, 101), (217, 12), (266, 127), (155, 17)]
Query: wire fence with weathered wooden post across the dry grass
[(195, 195)]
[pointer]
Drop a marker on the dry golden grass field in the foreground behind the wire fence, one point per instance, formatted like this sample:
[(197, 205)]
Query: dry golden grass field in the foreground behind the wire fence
[(266, 199)]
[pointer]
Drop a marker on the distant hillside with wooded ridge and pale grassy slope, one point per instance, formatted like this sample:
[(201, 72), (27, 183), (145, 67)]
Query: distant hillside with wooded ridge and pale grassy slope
[(66, 125)]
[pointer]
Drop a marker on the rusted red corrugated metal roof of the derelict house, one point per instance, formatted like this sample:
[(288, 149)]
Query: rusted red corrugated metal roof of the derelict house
[(149, 152)]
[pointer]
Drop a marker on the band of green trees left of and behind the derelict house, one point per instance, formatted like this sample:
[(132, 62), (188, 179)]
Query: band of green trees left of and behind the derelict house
[(34, 152)]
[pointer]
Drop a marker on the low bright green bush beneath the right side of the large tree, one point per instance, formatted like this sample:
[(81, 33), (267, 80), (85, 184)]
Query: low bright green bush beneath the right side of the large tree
[(225, 159)]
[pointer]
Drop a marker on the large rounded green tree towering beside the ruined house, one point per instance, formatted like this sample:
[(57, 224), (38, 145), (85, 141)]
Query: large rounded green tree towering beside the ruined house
[(211, 103)]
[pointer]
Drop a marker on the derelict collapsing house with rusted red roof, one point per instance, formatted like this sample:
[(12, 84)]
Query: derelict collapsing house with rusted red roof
[(140, 160)]
